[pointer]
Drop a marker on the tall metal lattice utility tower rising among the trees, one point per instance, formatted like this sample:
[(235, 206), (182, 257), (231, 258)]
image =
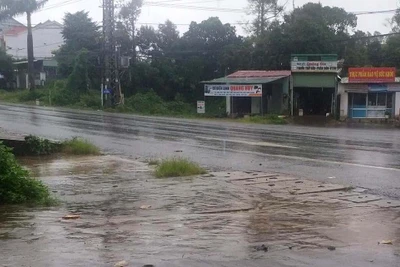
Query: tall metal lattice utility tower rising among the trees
[(110, 57)]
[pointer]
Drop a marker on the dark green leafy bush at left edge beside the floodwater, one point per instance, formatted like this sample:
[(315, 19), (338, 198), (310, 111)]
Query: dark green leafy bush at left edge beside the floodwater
[(16, 187)]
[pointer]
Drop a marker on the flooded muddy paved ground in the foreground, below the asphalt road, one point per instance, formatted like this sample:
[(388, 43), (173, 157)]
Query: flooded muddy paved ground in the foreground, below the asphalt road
[(219, 219)]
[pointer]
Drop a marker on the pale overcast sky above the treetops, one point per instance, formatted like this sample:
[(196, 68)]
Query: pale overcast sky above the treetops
[(55, 10)]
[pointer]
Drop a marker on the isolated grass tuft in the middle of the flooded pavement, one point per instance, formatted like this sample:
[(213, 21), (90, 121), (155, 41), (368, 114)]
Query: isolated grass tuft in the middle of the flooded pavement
[(178, 167)]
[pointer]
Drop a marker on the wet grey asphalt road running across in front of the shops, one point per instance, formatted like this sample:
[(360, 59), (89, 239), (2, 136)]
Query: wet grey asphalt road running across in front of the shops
[(360, 157)]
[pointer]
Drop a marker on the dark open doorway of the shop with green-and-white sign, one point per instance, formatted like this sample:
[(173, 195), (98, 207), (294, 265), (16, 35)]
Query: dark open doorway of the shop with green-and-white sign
[(314, 101)]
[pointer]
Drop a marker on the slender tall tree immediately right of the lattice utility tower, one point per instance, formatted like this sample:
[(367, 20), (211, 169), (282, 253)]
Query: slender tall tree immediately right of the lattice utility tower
[(128, 16)]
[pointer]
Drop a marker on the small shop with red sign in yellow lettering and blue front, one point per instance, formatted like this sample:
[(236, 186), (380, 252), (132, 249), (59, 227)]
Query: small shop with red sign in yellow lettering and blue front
[(370, 93)]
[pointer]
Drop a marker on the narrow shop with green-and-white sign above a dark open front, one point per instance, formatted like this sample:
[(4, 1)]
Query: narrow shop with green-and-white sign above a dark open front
[(314, 84)]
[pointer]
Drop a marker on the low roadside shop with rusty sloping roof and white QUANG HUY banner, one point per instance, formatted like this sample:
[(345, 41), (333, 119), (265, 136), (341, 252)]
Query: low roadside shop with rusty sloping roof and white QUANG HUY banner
[(252, 92)]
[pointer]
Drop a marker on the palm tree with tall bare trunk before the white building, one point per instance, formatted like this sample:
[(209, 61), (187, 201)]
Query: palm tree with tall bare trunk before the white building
[(10, 8)]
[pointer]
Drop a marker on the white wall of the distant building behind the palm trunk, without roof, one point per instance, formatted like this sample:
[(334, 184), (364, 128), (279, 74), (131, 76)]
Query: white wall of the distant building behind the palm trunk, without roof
[(44, 42)]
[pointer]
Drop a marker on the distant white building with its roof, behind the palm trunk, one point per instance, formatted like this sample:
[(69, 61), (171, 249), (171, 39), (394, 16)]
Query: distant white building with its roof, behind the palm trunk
[(47, 38)]
